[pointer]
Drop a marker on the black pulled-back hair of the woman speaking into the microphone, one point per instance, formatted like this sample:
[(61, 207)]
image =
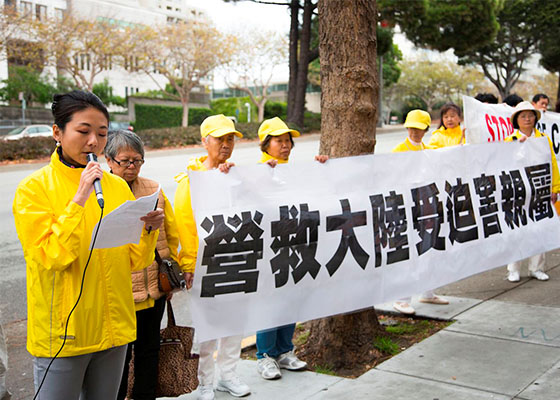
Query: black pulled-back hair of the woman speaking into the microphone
[(65, 105)]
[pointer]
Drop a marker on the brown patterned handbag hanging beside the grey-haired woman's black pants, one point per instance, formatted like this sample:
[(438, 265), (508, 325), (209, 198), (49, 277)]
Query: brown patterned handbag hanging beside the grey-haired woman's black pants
[(177, 367)]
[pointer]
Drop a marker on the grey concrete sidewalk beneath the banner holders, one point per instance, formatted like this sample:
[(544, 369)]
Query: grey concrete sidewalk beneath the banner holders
[(505, 344)]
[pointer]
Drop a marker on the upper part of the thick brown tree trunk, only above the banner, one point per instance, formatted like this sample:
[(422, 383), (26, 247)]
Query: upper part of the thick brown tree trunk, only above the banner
[(349, 81)]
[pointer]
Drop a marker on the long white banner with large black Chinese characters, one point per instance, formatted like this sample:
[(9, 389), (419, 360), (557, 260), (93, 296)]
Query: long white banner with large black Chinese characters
[(309, 240)]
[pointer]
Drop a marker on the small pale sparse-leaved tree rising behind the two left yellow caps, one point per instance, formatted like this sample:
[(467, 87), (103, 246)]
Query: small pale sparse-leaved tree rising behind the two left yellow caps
[(253, 63)]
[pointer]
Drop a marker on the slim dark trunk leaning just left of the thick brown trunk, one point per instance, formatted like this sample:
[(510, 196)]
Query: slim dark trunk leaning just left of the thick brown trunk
[(303, 65)]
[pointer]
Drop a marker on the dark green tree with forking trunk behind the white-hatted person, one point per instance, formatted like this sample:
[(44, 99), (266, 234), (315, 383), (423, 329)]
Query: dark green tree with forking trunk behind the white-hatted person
[(523, 23)]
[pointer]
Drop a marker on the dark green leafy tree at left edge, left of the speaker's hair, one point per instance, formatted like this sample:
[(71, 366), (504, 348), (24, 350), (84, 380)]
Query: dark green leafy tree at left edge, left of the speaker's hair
[(30, 82)]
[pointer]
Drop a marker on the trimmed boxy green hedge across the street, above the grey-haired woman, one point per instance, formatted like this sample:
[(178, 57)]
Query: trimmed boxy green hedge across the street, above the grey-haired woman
[(156, 116)]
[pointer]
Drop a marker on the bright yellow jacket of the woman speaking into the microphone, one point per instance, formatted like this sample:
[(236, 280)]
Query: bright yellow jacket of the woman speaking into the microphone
[(55, 235)]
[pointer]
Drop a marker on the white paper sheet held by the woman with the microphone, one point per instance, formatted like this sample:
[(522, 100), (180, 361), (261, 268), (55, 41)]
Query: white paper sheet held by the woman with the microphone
[(123, 225)]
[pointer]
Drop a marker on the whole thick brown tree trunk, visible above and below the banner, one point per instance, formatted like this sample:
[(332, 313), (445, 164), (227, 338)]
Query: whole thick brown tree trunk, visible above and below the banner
[(349, 108)]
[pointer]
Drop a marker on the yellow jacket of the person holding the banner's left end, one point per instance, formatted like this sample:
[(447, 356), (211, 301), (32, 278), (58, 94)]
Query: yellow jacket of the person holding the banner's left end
[(186, 223)]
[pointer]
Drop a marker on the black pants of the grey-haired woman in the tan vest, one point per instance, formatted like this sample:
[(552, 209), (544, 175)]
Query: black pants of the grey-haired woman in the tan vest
[(146, 351)]
